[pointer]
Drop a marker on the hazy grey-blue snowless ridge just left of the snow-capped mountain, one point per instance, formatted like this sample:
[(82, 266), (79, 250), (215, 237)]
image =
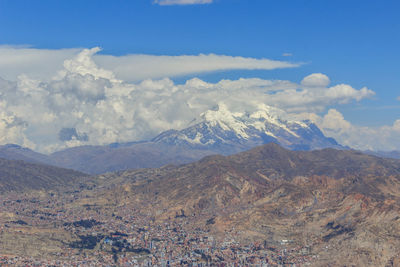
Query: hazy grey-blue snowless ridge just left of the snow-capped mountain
[(101, 159)]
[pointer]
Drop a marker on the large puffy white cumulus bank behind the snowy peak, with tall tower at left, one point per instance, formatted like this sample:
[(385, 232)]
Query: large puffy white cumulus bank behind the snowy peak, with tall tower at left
[(85, 103)]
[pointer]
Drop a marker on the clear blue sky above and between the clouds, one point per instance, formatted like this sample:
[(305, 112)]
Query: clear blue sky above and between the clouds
[(353, 42)]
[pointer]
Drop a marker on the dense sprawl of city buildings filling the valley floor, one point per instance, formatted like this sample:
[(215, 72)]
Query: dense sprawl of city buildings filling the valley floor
[(127, 237)]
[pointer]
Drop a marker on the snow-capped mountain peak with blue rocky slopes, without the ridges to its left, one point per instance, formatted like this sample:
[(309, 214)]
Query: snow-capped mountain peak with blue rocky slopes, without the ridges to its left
[(229, 132)]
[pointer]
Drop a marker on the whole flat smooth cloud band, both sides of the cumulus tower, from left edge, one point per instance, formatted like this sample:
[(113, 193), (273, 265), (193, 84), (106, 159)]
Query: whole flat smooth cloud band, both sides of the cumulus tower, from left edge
[(44, 64)]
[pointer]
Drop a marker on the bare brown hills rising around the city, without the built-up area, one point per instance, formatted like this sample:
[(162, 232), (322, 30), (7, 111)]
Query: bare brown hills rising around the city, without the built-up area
[(339, 205)]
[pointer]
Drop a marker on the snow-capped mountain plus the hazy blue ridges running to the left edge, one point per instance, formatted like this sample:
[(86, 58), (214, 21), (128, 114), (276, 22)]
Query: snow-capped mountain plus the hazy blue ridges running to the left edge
[(217, 131)]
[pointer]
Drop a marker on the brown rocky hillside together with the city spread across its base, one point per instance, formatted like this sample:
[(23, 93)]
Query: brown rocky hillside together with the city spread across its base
[(324, 208)]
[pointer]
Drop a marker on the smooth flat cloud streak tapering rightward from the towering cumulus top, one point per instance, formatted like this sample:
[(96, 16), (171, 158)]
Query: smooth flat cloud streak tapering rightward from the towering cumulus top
[(139, 67)]
